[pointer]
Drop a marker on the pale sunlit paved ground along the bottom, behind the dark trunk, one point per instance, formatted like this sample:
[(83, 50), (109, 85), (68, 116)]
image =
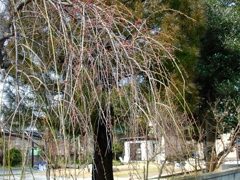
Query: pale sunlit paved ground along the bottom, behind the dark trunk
[(132, 171)]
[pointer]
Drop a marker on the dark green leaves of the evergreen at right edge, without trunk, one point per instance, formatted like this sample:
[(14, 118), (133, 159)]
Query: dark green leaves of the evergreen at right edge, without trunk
[(218, 68)]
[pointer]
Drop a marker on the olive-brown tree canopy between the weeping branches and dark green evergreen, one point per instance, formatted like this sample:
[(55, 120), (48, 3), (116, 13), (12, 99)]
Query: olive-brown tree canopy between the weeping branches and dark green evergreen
[(181, 25)]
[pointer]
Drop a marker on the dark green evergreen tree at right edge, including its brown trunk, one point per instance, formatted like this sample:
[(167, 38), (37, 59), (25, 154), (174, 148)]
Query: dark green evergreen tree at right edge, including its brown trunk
[(219, 71)]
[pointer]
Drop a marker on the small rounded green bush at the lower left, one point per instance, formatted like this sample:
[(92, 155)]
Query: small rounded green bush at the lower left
[(15, 157)]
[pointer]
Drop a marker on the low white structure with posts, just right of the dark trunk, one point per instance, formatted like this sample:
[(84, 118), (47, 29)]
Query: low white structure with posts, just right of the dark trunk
[(143, 149)]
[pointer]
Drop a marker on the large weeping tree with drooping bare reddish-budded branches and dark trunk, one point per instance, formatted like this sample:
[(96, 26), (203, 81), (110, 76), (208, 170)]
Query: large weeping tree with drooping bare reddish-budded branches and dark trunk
[(92, 67)]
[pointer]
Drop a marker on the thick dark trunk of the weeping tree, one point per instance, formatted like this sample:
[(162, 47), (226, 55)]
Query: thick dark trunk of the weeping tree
[(102, 161)]
